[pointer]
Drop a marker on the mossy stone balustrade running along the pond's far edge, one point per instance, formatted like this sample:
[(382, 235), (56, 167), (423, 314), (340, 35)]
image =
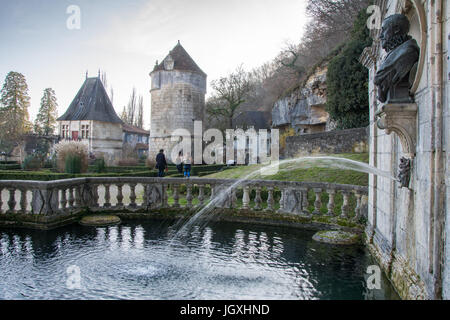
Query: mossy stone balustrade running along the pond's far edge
[(149, 194)]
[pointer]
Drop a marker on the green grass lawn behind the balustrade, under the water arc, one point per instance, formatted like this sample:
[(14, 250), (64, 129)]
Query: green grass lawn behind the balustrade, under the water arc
[(307, 171)]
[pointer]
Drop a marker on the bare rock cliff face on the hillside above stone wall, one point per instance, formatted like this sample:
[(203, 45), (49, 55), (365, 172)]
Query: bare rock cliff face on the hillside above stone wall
[(304, 107)]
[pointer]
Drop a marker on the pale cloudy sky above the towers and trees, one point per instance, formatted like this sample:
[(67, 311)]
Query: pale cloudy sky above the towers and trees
[(124, 38)]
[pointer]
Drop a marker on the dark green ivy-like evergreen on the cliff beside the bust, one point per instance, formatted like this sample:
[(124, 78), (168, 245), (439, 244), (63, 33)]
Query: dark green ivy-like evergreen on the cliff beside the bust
[(347, 80)]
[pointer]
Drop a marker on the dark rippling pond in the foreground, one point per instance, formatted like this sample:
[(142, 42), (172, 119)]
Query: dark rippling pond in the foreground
[(140, 260)]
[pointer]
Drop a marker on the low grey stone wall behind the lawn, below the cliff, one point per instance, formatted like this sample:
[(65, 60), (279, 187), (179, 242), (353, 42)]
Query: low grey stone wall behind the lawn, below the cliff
[(339, 141)]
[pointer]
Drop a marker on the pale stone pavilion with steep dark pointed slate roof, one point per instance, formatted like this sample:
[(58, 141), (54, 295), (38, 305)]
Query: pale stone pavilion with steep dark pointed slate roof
[(91, 119)]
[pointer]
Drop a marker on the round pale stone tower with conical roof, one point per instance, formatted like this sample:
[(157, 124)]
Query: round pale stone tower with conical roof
[(178, 89)]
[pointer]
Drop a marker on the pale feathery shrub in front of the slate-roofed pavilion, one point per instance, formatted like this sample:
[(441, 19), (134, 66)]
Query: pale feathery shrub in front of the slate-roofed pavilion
[(74, 150)]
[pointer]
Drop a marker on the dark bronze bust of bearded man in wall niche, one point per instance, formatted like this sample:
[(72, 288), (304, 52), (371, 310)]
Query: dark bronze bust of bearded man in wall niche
[(393, 78)]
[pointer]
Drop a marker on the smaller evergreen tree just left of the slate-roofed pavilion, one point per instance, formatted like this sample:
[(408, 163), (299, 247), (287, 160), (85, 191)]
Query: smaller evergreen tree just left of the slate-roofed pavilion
[(45, 123)]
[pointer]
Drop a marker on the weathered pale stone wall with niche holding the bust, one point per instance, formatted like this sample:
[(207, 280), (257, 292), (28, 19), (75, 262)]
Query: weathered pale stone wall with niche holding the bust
[(409, 227)]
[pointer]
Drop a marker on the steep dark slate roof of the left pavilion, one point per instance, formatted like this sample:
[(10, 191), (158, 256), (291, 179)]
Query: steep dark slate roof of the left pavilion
[(91, 103)]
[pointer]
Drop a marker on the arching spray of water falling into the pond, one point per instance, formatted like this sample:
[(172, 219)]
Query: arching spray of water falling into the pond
[(204, 215)]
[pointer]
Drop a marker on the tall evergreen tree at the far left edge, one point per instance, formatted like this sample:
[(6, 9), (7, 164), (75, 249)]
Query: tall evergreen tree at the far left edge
[(14, 111)]
